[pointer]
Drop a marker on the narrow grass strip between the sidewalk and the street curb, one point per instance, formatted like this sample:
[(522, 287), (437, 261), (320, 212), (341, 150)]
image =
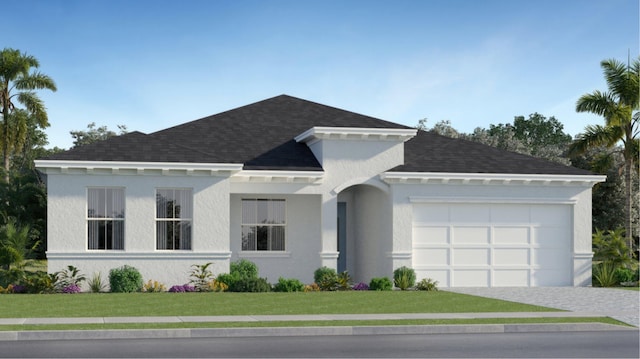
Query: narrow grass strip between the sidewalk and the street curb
[(267, 324)]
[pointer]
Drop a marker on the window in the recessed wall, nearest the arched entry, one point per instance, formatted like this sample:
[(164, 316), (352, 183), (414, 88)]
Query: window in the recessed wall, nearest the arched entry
[(263, 224)]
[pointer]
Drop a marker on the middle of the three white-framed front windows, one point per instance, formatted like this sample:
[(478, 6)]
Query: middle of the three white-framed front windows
[(174, 216)]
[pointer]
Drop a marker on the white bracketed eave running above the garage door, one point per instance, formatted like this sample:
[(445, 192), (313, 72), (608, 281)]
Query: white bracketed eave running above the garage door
[(489, 178)]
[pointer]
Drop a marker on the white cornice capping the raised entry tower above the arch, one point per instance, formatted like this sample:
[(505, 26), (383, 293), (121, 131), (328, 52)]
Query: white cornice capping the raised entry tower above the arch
[(356, 133)]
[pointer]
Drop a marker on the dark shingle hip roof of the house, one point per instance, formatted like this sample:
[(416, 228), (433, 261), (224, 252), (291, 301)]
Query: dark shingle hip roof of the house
[(260, 136)]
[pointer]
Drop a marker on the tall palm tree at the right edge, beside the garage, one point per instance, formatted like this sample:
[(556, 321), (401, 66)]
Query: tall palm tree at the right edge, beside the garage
[(619, 106)]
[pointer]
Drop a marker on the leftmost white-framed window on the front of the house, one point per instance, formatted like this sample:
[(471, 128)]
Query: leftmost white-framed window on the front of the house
[(105, 218)]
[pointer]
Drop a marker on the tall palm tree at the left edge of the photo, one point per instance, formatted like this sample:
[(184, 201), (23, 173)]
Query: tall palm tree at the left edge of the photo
[(16, 75)]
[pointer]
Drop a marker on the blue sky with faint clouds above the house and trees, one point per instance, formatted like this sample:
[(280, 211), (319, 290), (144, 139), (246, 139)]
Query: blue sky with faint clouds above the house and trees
[(154, 64)]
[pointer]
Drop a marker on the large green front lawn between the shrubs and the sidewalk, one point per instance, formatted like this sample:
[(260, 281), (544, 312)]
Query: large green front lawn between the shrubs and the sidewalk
[(206, 304)]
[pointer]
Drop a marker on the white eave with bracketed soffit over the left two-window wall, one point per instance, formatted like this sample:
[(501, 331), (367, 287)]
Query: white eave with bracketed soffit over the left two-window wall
[(137, 168)]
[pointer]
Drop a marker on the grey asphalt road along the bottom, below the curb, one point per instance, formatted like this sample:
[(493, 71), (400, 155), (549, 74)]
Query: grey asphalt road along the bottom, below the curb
[(606, 344)]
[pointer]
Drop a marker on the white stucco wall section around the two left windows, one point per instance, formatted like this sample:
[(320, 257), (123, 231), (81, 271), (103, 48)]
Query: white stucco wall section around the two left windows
[(67, 226)]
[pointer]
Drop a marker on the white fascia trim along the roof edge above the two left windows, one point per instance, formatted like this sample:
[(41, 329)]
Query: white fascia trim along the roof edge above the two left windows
[(140, 167)]
